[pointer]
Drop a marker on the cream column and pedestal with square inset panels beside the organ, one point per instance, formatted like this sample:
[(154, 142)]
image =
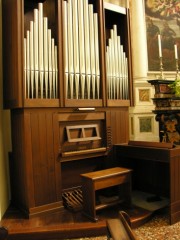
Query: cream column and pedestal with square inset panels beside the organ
[(143, 126)]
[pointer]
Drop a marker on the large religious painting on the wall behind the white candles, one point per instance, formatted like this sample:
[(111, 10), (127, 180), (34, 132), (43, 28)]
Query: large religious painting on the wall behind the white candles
[(162, 17)]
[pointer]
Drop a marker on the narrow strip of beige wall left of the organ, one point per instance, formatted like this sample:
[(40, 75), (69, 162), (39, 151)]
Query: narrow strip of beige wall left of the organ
[(5, 145)]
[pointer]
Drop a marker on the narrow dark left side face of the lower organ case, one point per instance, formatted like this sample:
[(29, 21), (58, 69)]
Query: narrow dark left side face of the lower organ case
[(17, 163)]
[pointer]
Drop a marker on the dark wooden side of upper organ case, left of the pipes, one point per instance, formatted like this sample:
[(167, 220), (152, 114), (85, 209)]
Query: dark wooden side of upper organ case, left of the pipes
[(12, 12)]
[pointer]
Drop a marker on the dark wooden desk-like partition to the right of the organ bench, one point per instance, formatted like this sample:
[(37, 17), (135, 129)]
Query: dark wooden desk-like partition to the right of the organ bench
[(161, 168)]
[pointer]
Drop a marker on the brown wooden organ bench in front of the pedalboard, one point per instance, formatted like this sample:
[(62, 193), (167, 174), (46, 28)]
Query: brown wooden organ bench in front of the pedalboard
[(103, 179)]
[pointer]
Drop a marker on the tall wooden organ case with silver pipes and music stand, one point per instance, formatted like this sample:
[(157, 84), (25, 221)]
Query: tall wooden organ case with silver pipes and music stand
[(68, 84)]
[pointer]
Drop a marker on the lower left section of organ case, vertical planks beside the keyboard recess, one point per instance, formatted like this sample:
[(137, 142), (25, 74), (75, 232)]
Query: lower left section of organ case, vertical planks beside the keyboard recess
[(35, 169)]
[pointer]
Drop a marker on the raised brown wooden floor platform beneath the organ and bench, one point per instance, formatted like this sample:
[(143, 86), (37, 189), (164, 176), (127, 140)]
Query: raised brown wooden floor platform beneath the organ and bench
[(65, 224)]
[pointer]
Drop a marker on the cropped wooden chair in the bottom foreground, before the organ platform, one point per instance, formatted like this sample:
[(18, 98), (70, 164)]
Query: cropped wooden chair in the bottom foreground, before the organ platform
[(120, 228)]
